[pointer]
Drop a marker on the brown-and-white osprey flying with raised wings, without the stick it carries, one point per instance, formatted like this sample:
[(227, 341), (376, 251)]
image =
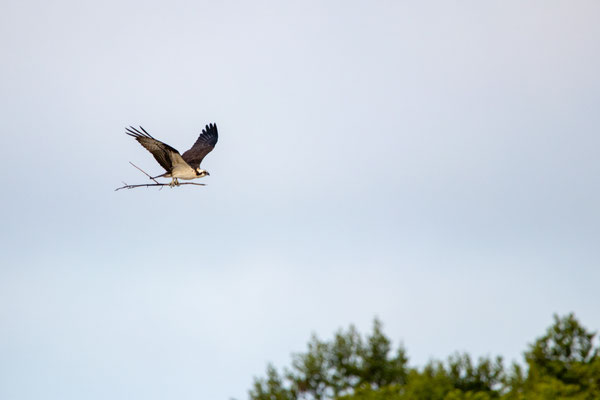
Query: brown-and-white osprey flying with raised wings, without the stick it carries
[(186, 166)]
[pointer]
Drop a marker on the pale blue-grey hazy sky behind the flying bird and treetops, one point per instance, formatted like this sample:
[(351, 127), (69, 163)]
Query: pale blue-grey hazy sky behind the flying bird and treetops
[(431, 163)]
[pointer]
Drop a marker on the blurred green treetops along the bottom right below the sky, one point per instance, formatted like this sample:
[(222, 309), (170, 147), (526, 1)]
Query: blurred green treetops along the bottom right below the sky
[(562, 364)]
